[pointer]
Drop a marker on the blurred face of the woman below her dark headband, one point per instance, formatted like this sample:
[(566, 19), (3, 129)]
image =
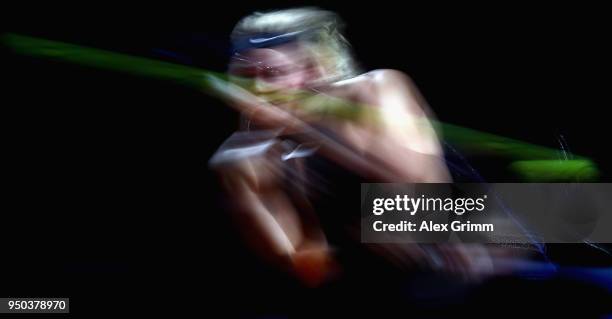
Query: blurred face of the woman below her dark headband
[(282, 69)]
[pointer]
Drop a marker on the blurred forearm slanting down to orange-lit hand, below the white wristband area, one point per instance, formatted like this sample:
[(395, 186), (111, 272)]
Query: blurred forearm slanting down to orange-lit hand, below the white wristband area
[(270, 224)]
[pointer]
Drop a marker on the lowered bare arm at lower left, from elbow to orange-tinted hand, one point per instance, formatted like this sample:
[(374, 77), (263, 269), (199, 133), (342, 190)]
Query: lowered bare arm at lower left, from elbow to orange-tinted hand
[(271, 223)]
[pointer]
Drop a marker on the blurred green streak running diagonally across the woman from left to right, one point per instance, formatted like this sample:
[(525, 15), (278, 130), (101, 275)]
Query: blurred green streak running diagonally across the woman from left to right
[(532, 162)]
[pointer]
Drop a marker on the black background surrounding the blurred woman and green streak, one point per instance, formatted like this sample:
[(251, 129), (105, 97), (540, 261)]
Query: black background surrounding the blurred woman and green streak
[(107, 192)]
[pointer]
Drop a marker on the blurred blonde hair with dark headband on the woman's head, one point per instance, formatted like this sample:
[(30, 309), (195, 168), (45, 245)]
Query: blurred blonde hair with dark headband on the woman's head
[(317, 31)]
